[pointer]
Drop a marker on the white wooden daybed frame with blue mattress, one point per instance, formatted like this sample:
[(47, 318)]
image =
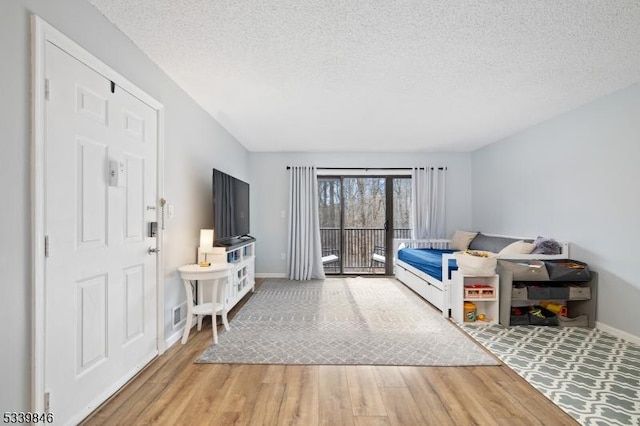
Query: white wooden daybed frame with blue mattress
[(437, 292)]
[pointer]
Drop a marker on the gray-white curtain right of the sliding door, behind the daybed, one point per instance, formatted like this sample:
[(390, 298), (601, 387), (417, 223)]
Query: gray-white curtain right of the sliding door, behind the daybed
[(428, 191)]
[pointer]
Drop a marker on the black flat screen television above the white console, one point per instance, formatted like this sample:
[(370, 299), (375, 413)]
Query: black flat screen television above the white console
[(230, 208)]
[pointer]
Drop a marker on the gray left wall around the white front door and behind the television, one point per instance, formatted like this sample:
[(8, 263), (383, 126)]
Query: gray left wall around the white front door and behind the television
[(194, 144)]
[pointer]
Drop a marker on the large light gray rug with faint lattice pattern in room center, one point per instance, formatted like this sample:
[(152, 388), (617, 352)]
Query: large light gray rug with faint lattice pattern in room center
[(342, 321)]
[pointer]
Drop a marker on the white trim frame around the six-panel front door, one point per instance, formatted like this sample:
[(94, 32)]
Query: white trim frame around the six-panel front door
[(43, 33)]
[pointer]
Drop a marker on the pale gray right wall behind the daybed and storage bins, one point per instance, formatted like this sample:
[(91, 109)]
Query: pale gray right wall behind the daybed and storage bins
[(574, 178)]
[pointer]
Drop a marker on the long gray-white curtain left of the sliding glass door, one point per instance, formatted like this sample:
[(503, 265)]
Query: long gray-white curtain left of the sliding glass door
[(304, 248)]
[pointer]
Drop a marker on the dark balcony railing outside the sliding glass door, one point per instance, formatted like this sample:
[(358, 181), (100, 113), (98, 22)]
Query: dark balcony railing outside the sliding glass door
[(355, 252)]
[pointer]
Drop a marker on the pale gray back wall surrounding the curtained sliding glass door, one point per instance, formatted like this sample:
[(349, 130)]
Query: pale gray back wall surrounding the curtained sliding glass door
[(271, 186)]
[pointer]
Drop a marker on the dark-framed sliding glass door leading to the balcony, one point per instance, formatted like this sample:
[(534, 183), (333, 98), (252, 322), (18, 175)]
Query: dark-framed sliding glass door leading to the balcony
[(359, 217)]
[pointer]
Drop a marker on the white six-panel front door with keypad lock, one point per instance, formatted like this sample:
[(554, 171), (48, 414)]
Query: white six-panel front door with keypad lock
[(100, 280)]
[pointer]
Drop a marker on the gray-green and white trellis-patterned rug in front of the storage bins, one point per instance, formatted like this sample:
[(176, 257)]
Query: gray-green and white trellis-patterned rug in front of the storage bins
[(591, 375)]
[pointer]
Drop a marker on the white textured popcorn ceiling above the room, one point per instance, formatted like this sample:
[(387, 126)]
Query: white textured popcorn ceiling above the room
[(385, 75)]
